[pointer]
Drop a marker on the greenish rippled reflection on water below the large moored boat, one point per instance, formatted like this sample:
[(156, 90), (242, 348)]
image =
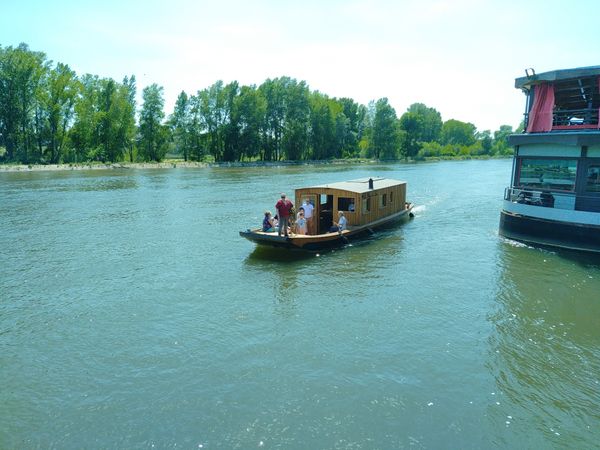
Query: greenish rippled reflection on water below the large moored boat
[(545, 353)]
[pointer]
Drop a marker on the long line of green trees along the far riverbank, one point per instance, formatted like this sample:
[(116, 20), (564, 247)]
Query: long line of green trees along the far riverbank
[(49, 114)]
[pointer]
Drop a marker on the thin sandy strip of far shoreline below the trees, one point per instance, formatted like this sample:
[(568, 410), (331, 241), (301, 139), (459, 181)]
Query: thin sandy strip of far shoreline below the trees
[(203, 165)]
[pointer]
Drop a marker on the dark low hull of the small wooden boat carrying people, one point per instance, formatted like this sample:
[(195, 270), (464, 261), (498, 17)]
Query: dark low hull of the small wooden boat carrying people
[(321, 241)]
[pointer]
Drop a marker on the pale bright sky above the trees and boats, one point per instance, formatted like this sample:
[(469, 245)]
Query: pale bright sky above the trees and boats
[(458, 56)]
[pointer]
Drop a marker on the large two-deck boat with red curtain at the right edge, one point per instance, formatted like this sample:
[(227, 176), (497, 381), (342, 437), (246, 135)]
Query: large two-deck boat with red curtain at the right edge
[(554, 195)]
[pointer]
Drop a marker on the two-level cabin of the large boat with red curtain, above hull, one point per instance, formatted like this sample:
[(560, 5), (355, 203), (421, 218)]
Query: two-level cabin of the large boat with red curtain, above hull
[(558, 155)]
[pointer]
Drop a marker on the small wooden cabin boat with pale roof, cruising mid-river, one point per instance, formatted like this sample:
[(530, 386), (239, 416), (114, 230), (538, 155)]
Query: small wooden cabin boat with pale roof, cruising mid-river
[(367, 203)]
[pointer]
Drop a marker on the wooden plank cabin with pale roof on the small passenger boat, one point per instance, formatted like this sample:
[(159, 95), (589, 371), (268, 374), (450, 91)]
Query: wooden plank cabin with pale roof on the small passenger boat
[(363, 201)]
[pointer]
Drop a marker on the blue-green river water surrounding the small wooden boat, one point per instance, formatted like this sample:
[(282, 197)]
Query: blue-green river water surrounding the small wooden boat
[(132, 315)]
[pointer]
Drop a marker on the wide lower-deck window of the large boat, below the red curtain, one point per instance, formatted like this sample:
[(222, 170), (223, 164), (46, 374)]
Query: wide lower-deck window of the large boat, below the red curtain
[(552, 174)]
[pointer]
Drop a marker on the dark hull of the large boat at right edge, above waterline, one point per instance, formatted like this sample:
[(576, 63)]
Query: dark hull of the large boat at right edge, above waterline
[(550, 233)]
